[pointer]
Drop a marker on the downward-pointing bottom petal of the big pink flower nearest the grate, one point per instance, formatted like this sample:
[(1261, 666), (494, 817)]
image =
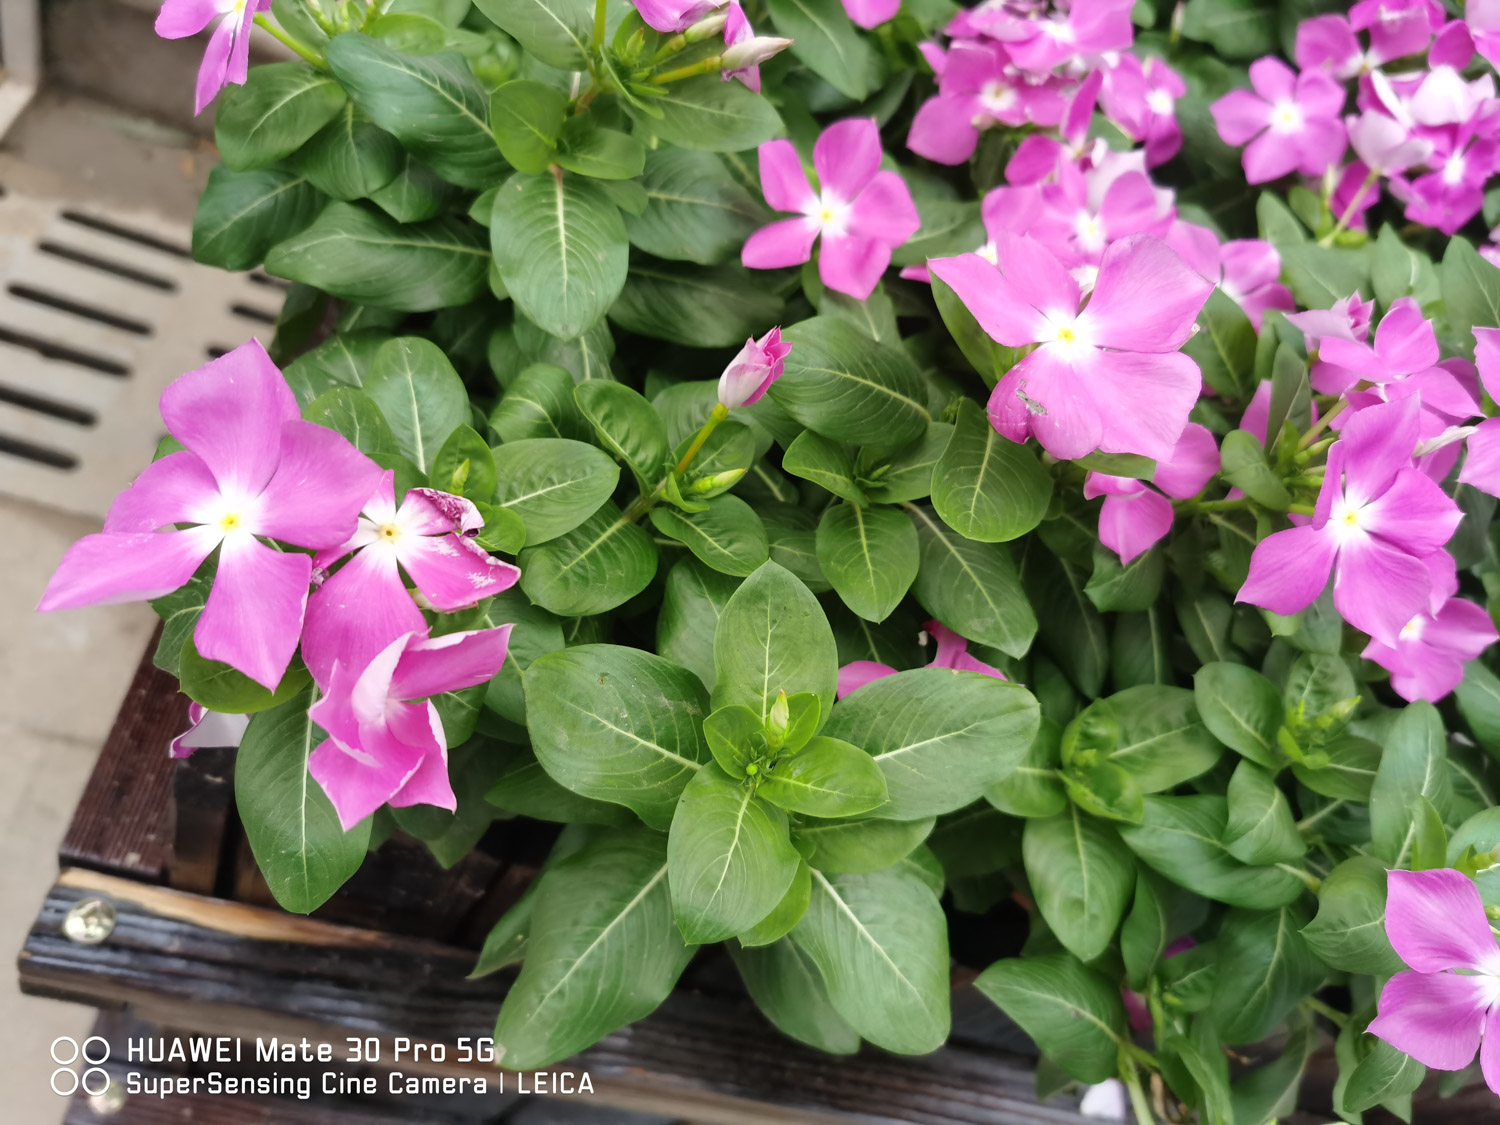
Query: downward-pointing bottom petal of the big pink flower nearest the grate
[(256, 608)]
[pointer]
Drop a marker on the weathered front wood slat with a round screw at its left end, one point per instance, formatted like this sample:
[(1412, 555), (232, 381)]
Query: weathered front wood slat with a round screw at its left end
[(214, 968)]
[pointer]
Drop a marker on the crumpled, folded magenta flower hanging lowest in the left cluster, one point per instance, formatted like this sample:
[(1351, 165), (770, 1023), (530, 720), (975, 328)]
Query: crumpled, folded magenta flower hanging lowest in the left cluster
[(386, 742)]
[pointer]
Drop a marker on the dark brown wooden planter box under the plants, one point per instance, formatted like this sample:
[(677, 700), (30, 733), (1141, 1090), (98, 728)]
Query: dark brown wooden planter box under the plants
[(199, 949)]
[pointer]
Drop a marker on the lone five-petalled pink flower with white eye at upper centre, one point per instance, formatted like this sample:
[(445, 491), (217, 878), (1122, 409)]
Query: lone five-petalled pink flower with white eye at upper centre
[(862, 212)]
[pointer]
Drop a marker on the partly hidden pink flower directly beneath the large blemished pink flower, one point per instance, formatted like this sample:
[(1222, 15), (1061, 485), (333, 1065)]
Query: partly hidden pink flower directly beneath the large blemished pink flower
[(1136, 517)]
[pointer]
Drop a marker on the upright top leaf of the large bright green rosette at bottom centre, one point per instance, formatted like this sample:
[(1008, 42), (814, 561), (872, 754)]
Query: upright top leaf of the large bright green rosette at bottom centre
[(773, 638)]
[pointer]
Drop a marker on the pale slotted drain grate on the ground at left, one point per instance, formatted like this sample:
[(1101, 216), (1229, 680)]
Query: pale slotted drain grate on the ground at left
[(101, 310)]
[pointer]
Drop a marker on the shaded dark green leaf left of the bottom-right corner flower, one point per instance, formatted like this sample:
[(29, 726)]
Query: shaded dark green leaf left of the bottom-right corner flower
[(1273, 971)]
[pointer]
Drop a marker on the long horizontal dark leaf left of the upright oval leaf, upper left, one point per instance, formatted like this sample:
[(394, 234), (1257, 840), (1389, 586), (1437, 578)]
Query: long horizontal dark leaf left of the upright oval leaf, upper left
[(370, 259)]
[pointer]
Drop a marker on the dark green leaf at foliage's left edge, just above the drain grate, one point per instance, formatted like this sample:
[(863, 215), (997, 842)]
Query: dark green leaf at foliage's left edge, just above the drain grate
[(242, 215)]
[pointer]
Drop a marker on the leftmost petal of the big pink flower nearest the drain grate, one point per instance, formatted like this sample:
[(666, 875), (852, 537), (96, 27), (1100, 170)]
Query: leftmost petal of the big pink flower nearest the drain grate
[(115, 566)]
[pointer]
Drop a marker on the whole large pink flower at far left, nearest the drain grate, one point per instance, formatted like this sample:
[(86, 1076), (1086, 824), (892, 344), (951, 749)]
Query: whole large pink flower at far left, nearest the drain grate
[(251, 469)]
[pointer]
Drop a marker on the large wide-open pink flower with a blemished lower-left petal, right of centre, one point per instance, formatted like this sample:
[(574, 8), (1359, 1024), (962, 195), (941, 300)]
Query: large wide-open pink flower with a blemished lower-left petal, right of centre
[(1109, 377)]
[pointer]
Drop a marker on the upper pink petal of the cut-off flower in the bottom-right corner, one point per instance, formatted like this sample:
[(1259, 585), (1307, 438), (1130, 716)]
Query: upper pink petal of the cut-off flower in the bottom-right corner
[(1436, 920)]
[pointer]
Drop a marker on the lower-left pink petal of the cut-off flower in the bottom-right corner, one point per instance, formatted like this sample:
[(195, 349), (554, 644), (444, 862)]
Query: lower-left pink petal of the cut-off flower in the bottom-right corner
[(1435, 1018)]
